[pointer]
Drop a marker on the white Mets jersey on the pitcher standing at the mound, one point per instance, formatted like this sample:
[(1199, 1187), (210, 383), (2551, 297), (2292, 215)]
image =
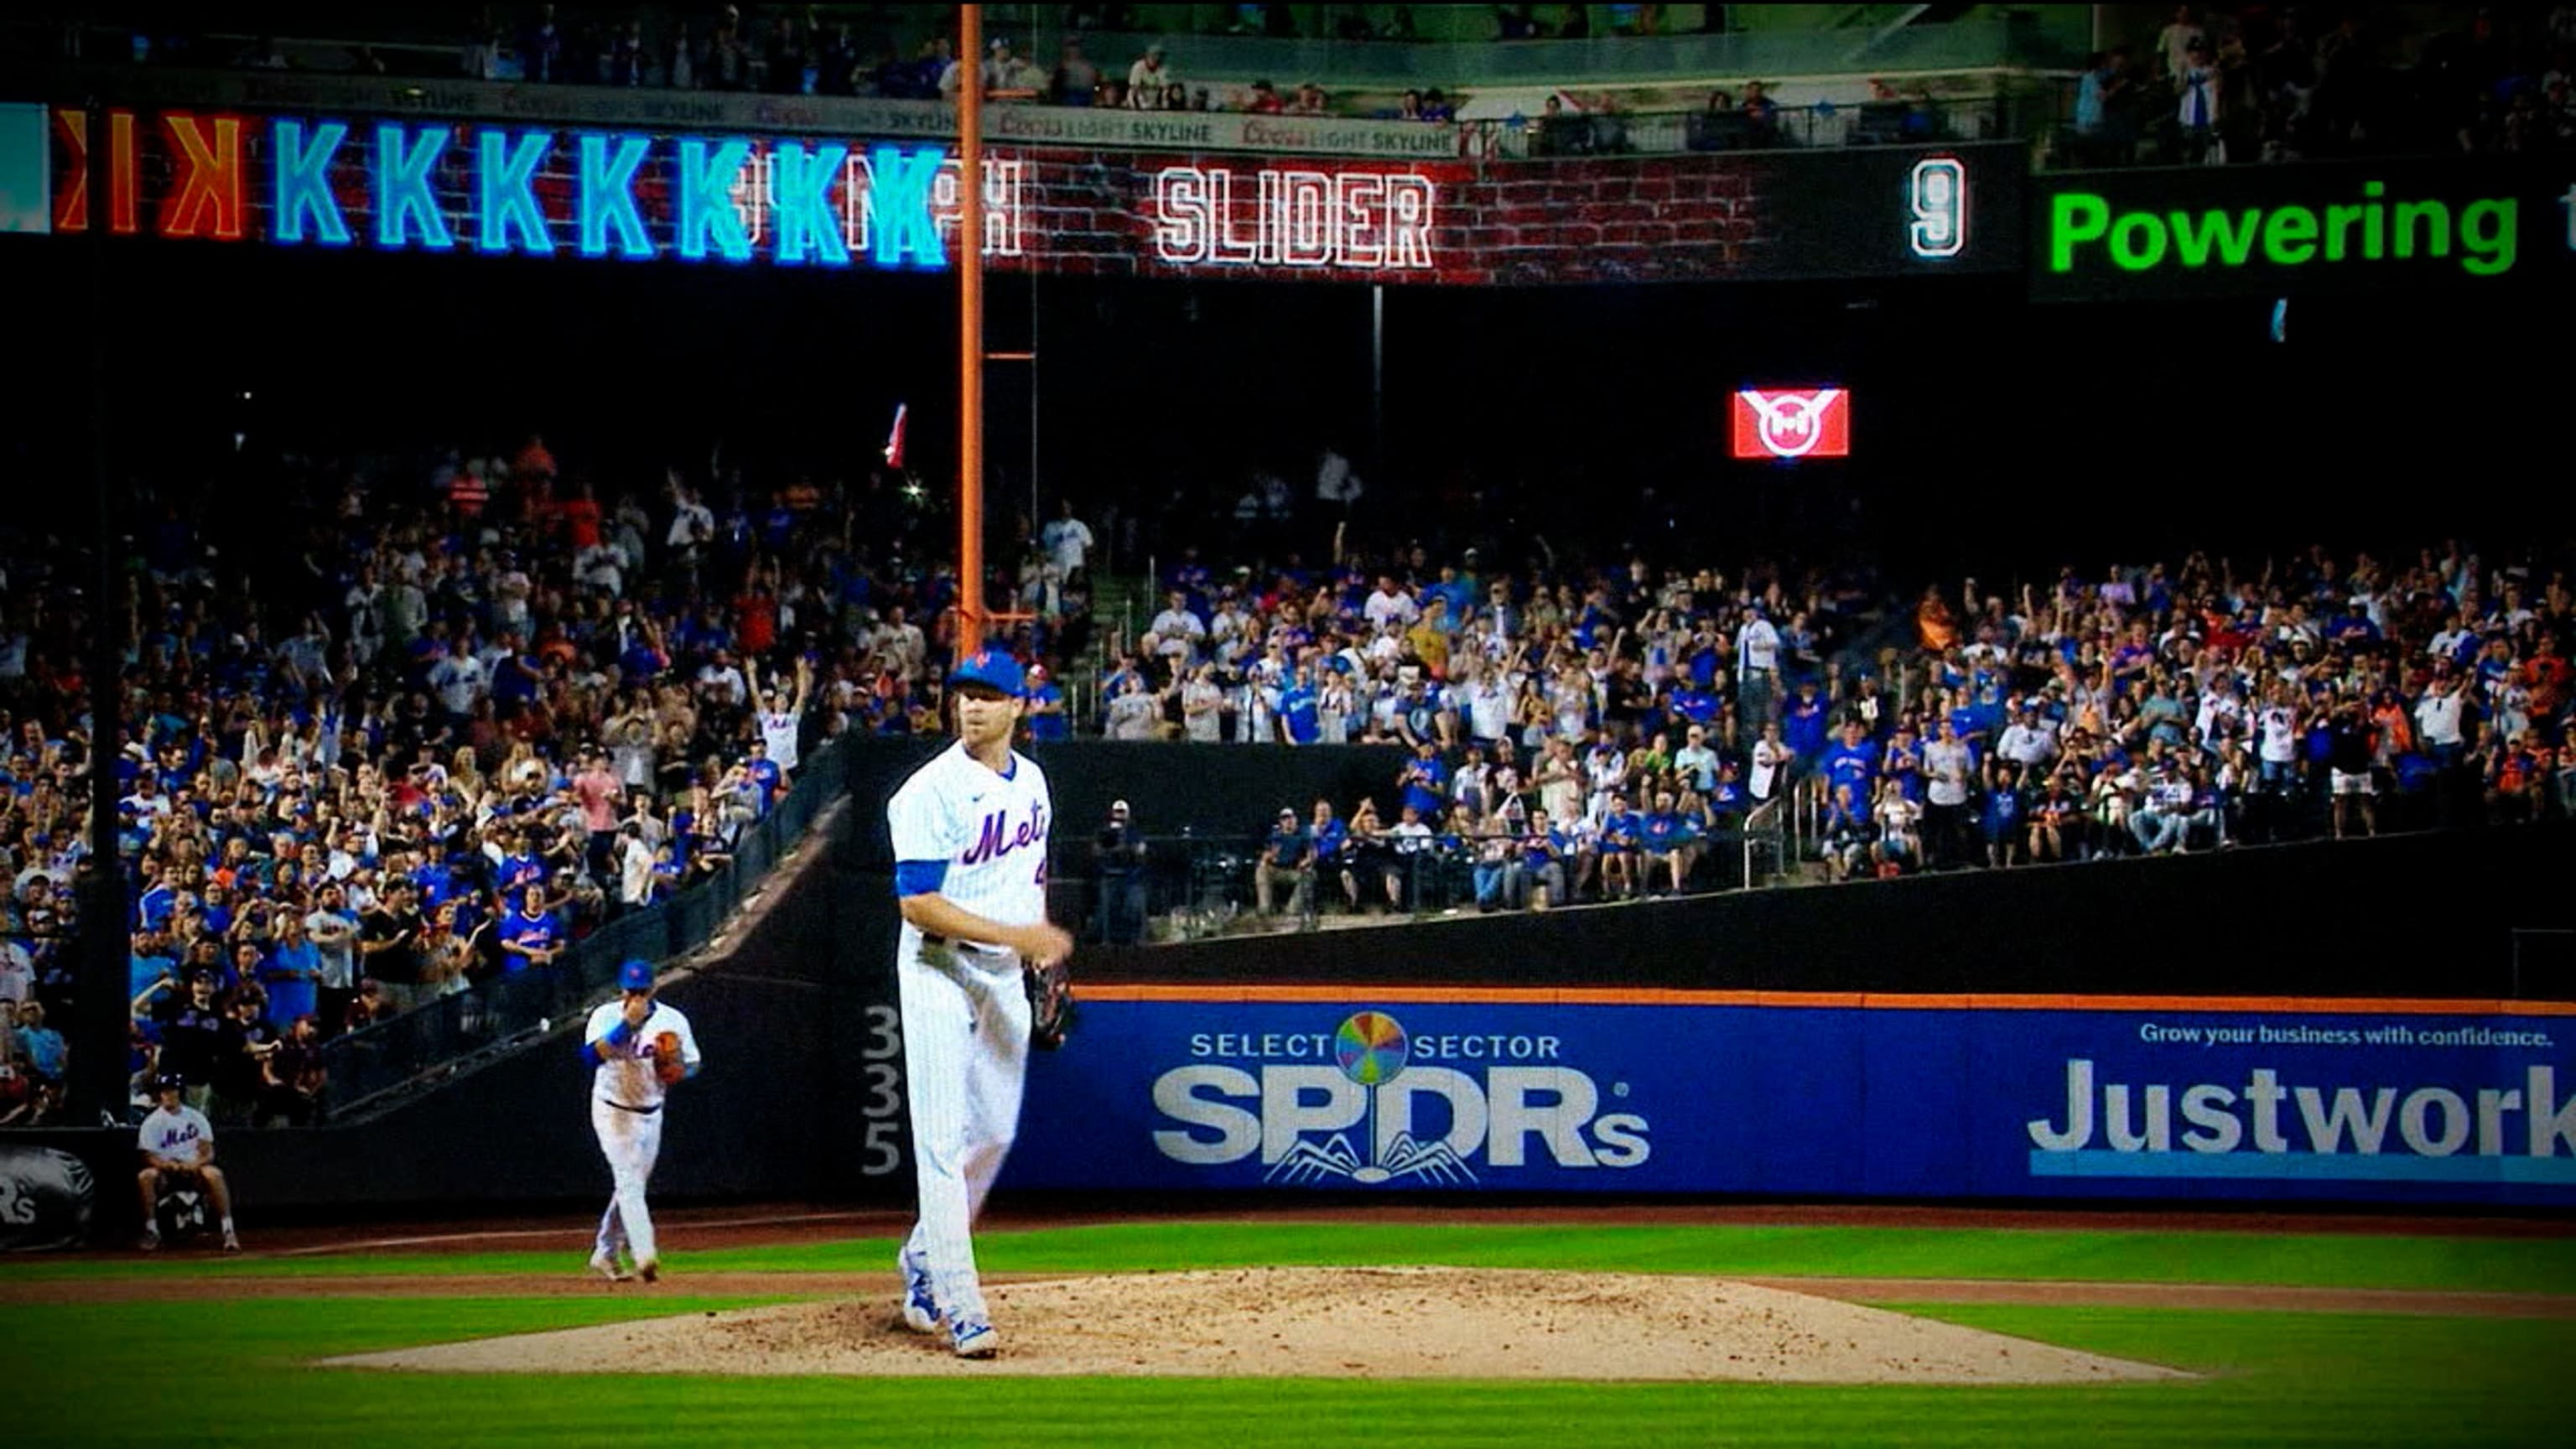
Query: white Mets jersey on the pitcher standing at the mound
[(988, 829)]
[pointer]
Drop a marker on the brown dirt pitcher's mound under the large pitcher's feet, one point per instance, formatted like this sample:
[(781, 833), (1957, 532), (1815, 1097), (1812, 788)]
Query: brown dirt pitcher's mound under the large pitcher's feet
[(1377, 1324)]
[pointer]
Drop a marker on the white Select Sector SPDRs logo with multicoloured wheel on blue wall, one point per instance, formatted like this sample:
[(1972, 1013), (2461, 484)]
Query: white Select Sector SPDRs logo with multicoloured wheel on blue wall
[(1377, 1105)]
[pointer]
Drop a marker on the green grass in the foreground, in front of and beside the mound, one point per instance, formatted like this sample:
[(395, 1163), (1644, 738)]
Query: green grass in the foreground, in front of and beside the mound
[(231, 1373)]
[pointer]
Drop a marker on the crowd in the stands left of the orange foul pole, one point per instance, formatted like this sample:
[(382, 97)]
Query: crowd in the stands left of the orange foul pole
[(413, 731)]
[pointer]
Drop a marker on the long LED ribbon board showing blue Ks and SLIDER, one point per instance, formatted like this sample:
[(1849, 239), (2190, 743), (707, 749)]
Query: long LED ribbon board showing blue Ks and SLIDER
[(408, 184)]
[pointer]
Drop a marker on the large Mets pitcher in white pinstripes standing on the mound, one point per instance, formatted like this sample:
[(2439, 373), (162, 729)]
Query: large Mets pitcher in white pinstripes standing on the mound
[(970, 870)]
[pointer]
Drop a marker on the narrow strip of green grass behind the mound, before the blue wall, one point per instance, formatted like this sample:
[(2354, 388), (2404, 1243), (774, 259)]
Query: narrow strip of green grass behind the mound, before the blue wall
[(2327, 1259)]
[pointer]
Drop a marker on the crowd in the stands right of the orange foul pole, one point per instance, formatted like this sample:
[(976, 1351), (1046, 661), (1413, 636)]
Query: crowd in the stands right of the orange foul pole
[(1601, 736)]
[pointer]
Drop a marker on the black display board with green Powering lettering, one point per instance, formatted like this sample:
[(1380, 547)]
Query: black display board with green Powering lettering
[(2299, 228)]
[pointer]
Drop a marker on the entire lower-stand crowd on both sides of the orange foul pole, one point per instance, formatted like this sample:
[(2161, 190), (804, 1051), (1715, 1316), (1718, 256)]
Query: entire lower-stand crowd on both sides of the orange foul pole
[(468, 710)]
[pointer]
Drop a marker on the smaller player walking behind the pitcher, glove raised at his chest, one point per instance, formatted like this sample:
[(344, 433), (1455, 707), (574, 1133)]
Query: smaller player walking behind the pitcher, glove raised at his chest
[(640, 1048)]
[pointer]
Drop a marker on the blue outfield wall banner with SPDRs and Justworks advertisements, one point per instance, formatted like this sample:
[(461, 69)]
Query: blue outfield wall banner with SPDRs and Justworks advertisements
[(1807, 1102)]
